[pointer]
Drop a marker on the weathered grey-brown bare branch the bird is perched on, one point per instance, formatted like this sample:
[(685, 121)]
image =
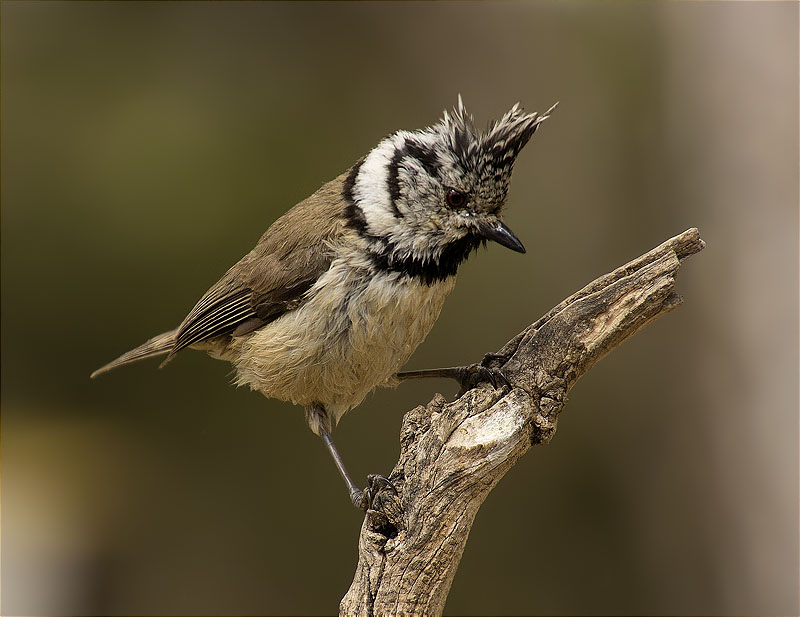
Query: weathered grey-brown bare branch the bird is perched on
[(453, 454)]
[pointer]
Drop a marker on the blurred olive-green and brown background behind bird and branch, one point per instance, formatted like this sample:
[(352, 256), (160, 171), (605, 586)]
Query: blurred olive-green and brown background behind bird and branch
[(145, 148)]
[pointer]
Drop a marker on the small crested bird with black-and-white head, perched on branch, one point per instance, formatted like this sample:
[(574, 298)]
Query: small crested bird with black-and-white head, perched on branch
[(342, 288)]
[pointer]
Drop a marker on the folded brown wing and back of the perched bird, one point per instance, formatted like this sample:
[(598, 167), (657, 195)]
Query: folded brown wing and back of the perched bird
[(272, 278)]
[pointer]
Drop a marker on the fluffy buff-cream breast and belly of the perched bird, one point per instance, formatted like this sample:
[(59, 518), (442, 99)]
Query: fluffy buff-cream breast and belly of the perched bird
[(352, 334)]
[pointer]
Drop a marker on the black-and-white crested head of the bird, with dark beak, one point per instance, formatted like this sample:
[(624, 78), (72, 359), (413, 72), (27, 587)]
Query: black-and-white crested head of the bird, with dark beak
[(435, 194)]
